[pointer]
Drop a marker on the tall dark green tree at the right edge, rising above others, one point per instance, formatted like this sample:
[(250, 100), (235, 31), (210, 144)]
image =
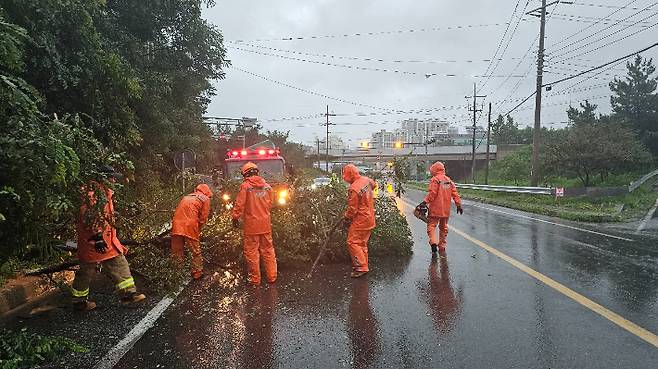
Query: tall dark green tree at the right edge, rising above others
[(635, 101)]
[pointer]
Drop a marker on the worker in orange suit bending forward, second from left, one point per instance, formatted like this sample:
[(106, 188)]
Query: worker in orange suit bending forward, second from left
[(191, 213)]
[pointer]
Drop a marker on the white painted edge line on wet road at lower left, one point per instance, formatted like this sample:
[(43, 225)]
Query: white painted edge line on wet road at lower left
[(120, 349)]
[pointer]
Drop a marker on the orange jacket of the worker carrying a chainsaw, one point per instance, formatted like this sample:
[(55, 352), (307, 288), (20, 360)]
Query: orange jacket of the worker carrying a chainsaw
[(441, 191)]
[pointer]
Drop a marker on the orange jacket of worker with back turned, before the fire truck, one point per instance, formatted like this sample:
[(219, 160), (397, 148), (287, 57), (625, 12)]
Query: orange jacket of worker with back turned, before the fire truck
[(253, 203)]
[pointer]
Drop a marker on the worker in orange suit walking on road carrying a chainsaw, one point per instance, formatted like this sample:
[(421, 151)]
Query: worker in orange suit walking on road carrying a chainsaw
[(441, 192)]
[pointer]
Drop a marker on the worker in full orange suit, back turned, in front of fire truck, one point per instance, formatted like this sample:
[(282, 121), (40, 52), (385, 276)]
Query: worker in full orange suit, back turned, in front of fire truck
[(252, 205)]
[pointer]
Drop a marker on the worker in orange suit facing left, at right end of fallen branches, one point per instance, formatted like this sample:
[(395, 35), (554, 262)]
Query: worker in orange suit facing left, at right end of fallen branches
[(359, 218)]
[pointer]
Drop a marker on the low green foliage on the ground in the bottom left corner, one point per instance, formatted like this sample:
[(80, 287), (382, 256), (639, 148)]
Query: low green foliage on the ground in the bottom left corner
[(26, 350)]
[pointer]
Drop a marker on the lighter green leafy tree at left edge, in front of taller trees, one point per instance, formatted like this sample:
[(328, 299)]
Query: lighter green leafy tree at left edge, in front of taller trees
[(44, 160)]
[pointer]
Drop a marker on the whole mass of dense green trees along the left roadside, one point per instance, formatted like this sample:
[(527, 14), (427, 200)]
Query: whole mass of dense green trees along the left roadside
[(129, 82)]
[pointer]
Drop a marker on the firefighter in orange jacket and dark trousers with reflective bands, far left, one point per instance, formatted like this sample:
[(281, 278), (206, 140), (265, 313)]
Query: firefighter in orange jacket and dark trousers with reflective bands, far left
[(99, 248)]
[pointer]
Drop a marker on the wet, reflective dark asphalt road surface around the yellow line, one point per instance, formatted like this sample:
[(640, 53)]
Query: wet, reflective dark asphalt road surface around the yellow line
[(468, 310)]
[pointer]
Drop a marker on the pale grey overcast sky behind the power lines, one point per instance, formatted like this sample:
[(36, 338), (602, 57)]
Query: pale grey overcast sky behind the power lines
[(451, 40)]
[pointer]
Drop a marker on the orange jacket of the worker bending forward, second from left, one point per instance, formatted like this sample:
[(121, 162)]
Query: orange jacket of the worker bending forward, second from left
[(191, 213)]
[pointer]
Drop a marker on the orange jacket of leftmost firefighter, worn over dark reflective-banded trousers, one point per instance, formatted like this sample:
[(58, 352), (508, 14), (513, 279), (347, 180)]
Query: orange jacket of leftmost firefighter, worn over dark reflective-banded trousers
[(85, 231)]
